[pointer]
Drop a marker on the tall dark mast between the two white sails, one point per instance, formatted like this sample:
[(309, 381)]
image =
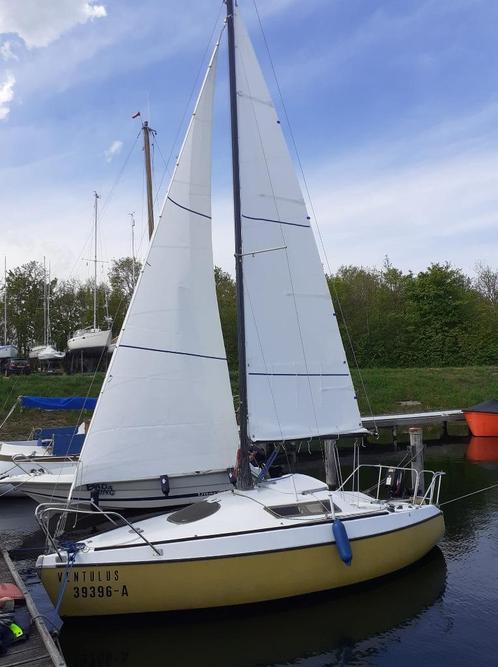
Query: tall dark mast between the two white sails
[(244, 479)]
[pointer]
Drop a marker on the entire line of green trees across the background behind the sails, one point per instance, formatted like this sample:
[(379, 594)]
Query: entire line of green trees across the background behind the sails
[(387, 317)]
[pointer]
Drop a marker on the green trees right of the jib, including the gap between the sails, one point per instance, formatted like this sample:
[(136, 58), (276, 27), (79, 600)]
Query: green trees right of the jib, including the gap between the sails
[(390, 318)]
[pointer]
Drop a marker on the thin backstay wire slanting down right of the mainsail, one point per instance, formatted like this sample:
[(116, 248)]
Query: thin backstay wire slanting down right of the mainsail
[(313, 212)]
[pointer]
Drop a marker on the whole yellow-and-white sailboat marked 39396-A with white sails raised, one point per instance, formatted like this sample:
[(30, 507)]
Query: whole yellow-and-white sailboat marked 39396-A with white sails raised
[(275, 538)]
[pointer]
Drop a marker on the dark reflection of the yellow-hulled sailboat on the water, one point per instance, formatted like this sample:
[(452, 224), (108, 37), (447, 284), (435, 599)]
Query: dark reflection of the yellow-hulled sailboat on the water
[(283, 632)]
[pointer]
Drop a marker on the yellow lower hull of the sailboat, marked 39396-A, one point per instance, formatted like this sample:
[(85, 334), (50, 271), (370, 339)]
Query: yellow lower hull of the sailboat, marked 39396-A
[(233, 580)]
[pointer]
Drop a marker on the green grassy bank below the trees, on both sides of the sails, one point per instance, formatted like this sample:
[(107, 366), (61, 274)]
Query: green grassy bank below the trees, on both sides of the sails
[(387, 389)]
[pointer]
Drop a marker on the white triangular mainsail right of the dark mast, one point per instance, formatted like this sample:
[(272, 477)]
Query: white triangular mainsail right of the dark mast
[(298, 380)]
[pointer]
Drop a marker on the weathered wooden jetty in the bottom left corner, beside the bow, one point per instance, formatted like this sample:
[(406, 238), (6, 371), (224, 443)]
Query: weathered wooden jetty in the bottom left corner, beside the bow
[(39, 650)]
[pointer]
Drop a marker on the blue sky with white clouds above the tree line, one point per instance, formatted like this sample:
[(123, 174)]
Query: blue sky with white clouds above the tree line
[(393, 106)]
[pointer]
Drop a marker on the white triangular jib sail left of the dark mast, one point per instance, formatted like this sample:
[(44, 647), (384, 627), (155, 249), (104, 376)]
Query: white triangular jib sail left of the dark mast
[(166, 405)]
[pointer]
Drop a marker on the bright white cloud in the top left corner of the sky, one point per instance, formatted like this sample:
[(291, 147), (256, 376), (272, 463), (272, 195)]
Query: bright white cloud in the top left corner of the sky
[(40, 23)]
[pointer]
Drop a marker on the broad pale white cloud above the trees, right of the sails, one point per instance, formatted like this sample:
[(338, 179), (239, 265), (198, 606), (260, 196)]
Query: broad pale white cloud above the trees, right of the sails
[(443, 208)]
